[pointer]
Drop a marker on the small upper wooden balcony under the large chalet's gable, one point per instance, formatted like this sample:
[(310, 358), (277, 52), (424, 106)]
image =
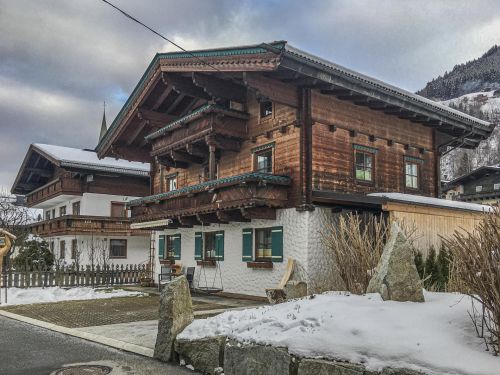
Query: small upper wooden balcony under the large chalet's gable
[(192, 138)]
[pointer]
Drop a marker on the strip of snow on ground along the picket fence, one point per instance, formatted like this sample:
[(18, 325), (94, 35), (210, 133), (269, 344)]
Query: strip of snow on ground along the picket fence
[(18, 296)]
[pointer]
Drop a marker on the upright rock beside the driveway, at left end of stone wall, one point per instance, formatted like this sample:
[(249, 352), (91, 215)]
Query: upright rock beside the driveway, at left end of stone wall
[(176, 313)]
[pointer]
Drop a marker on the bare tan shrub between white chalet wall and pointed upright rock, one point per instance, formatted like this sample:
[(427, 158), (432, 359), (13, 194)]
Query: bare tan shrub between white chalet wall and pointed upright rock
[(357, 241)]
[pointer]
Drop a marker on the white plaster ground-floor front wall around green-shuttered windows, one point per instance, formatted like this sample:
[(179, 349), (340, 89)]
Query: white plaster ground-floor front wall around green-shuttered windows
[(236, 276)]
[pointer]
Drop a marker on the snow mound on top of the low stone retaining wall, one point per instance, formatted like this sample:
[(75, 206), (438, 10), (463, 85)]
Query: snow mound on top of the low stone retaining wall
[(436, 336)]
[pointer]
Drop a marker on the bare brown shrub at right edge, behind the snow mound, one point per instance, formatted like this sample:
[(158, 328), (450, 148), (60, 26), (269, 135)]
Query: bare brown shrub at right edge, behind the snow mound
[(475, 270)]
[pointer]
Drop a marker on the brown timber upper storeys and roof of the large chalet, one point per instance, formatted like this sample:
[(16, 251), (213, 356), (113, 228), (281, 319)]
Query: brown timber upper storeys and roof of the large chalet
[(205, 122)]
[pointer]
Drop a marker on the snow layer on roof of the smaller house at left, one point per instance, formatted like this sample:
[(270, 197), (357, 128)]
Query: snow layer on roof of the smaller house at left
[(87, 159)]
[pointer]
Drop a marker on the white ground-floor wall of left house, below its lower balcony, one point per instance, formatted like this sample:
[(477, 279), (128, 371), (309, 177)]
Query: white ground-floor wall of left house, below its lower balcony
[(137, 248)]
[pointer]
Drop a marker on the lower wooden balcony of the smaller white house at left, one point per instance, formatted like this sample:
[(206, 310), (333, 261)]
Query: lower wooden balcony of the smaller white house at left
[(80, 224)]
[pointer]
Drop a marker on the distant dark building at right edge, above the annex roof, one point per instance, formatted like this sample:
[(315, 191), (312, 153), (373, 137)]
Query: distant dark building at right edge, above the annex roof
[(482, 185)]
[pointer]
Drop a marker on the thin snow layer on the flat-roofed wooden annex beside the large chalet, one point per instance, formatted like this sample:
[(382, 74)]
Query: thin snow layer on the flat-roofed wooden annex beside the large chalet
[(437, 202)]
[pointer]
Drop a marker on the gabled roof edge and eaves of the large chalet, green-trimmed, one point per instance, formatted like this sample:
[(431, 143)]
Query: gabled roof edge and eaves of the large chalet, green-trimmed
[(280, 55)]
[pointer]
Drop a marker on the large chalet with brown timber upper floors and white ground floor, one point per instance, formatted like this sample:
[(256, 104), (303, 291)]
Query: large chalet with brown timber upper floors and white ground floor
[(253, 149)]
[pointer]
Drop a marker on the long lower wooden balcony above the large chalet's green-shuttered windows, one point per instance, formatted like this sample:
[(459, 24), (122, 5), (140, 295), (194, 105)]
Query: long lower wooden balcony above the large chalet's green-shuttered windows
[(237, 198)]
